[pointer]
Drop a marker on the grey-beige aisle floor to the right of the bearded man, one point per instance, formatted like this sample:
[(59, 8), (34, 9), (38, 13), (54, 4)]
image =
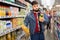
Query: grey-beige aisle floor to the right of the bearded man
[(49, 34)]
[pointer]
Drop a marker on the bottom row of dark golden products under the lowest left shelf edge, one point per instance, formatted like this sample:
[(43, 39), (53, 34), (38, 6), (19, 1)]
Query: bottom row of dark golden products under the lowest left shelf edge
[(13, 35)]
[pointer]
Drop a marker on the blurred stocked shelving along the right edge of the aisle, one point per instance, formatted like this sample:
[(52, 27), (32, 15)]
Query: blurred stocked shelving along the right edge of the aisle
[(57, 28)]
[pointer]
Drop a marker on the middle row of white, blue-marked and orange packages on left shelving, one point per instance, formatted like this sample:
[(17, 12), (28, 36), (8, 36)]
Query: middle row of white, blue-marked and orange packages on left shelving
[(9, 24)]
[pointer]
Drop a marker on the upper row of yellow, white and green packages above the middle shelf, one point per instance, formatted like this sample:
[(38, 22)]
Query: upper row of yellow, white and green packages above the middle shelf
[(8, 11)]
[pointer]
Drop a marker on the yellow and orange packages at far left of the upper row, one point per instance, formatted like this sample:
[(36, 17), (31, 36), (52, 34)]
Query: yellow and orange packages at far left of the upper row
[(4, 11)]
